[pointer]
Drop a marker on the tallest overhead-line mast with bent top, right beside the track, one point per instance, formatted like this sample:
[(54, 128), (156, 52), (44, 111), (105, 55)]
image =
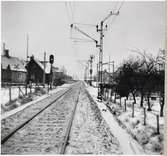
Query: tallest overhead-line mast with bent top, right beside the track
[(101, 30)]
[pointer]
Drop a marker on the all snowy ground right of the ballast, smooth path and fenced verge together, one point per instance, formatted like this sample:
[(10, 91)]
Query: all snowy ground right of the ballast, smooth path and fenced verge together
[(134, 137)]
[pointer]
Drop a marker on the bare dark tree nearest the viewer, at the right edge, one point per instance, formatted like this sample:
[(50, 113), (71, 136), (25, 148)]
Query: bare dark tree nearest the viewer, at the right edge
[(148, 75)]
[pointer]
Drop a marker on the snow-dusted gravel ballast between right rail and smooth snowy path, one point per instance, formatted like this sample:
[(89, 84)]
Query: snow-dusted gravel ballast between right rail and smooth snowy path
[(90, 133)]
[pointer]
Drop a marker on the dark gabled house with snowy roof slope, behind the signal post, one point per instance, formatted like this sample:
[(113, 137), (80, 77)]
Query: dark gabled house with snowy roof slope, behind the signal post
[(35, 69)]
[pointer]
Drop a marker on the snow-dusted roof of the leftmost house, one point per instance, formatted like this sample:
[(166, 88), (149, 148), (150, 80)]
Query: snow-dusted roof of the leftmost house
[(15, 63)]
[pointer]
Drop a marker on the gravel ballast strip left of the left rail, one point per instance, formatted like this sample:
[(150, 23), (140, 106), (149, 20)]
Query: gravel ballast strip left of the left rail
[(12, 122)]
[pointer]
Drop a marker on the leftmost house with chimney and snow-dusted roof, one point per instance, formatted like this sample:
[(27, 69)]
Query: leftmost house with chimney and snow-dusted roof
[(12, 69)]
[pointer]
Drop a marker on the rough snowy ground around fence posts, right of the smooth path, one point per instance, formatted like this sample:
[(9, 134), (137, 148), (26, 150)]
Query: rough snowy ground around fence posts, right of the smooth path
[(146, 135)]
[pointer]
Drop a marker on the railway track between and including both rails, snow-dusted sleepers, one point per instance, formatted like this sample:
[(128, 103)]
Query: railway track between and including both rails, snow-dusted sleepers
[(47, 131)]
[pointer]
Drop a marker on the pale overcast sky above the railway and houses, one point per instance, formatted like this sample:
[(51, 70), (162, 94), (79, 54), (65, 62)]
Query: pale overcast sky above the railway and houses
[(139, 24)]
